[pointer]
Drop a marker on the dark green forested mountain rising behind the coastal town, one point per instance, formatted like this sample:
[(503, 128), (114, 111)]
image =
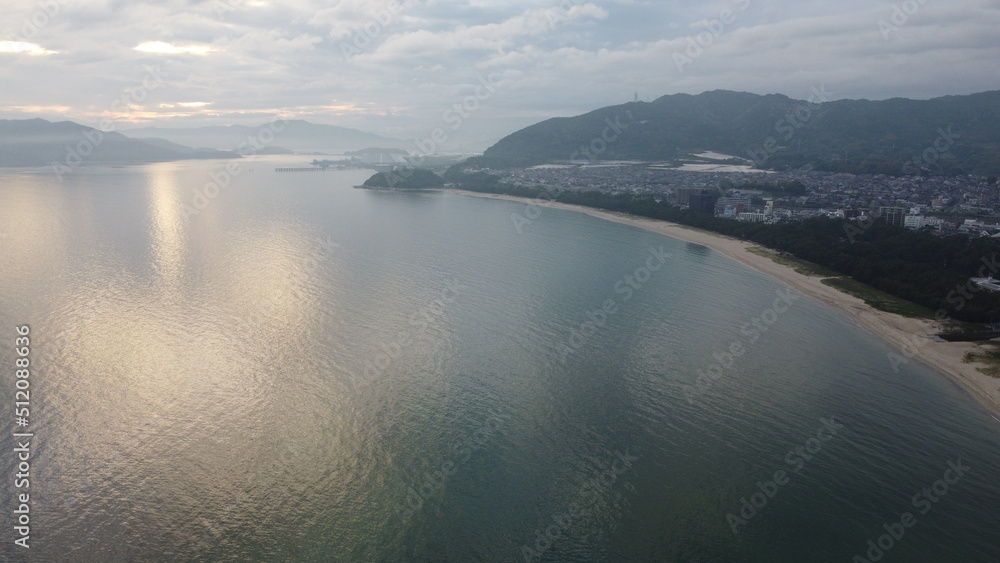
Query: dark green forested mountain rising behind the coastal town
[(949, 135)]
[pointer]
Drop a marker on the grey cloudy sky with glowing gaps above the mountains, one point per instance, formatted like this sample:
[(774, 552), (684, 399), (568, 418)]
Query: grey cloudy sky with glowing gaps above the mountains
[(395, 68)]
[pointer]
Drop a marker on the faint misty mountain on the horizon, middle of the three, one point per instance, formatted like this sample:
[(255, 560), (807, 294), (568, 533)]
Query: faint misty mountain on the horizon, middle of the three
[(296, 135)]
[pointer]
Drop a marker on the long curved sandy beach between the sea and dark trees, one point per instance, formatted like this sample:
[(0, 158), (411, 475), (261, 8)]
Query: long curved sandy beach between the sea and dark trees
[(913, 339)]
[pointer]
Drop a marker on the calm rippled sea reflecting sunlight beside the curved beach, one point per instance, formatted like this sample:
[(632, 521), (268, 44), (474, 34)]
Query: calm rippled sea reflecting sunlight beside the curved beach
[(302, 371)]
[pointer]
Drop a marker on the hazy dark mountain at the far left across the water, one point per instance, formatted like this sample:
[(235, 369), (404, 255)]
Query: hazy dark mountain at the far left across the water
[(37, 142)]
